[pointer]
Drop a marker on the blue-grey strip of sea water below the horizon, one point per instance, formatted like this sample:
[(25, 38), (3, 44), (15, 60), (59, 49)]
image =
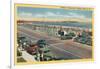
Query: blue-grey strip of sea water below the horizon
[(69, 24)]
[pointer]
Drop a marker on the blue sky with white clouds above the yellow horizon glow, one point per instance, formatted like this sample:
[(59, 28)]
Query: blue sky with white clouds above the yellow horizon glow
[(53, 13)]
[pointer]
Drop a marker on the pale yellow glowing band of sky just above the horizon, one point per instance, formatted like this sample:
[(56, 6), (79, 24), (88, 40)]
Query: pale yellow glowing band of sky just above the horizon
[(53, 20)]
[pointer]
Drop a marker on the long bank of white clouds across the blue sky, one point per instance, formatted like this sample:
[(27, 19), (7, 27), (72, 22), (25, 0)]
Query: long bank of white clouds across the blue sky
[(51, 14)]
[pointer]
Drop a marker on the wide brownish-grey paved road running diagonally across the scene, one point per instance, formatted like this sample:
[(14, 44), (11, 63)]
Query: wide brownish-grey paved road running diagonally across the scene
[(66, 49)]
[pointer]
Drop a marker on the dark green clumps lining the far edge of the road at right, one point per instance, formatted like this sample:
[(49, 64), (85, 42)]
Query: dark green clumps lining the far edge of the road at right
[(84, 37)]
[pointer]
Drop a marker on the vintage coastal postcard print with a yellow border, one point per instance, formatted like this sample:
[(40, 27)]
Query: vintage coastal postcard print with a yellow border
[(50, 34)]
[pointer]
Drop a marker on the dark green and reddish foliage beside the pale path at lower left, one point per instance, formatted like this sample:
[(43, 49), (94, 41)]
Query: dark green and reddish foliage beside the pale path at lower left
[(40, 49)]
